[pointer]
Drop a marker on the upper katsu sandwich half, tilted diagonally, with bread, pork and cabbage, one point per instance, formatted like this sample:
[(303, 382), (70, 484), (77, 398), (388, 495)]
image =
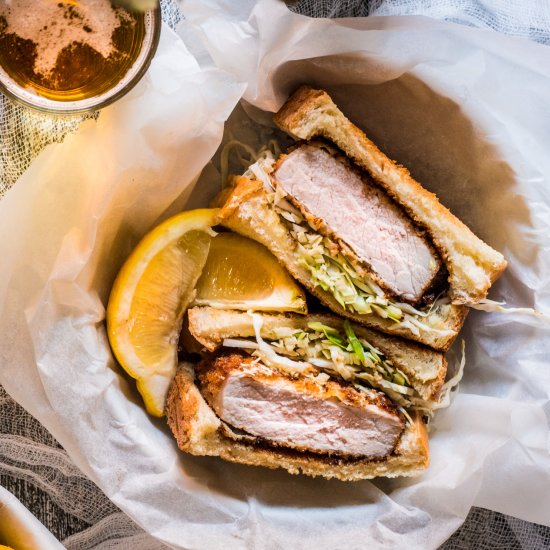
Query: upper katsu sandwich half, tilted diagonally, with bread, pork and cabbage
[(357, 230)]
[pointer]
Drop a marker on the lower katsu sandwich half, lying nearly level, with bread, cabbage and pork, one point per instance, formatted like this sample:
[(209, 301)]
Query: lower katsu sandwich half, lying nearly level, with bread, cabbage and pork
[(312, 394)]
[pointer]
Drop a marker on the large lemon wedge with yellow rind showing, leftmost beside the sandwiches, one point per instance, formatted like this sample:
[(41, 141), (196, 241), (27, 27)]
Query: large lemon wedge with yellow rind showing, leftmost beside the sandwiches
[(150, 296)]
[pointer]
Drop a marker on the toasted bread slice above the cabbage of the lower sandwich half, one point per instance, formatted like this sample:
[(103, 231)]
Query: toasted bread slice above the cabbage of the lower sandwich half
[(425, 368)]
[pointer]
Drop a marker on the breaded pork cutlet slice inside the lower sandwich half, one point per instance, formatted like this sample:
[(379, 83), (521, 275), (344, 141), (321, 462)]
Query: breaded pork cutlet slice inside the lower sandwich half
[(301, 414)]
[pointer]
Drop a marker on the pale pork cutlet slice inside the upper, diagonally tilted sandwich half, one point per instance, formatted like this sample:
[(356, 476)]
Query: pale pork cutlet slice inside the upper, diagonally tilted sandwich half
[(361, 215)]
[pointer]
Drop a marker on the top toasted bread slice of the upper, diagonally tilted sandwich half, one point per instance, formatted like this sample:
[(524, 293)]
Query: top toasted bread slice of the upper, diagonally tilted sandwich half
[(472, 264)]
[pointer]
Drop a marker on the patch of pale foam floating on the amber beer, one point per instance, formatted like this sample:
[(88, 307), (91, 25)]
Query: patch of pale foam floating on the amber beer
[(54, 25)]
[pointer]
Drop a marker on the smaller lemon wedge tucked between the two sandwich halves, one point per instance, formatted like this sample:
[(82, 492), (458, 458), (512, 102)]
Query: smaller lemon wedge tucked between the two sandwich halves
[(242, 274)]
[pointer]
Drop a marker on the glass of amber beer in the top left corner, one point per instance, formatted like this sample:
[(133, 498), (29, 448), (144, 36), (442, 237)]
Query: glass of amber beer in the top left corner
[(73, 56)]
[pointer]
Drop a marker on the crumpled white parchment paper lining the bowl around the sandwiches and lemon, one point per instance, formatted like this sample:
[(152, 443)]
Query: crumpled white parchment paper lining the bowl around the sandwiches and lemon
[(465, 110)]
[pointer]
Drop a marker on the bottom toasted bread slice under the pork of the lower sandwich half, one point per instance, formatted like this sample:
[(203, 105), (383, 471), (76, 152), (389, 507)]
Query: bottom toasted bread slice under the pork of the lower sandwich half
[(194, 426)]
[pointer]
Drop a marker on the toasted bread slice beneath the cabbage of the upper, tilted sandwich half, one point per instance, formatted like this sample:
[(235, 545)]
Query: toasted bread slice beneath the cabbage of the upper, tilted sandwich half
[(246, 210)]
